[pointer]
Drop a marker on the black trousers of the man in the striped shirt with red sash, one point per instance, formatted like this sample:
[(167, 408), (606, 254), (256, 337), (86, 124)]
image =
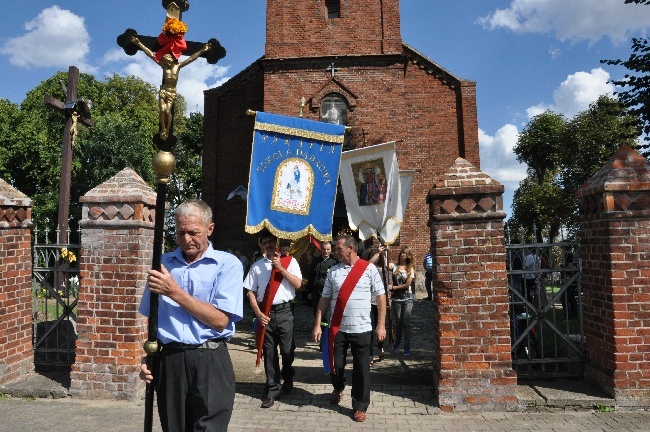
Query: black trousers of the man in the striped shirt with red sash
[(359, 343)]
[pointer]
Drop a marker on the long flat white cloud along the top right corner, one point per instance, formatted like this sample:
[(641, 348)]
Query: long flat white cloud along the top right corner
[(572, 20)]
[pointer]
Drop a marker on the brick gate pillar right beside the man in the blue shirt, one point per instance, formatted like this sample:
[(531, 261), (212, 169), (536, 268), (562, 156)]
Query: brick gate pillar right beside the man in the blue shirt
[(116, 249)]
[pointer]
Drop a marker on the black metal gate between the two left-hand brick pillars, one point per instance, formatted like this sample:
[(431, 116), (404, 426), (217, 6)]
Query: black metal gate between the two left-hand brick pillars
[(55, 289)]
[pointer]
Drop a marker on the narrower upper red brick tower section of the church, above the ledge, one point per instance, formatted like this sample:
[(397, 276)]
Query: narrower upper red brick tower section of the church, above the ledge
[(301, 29)]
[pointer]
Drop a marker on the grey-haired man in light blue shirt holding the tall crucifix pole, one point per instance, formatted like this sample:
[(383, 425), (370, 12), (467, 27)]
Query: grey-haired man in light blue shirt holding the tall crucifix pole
[(200, 300)]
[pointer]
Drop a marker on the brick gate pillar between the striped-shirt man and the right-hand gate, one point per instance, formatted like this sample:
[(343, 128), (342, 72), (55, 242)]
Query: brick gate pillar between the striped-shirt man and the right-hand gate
[(473, 365)]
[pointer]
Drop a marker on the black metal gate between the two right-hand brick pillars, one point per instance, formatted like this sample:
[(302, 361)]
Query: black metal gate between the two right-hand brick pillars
[(546, 309)]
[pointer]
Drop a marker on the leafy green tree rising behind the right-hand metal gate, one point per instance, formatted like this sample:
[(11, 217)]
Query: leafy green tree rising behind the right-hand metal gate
[(562, 155)]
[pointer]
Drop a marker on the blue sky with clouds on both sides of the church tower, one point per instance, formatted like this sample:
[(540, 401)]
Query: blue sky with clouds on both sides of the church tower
[(525, 55)]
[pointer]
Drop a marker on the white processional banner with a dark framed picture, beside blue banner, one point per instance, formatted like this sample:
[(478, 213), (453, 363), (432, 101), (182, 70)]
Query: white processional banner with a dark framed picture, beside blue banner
[(374, 197)]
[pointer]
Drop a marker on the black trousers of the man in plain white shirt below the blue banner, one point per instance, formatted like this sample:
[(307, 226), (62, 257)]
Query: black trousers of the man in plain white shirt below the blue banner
[(279, 334)]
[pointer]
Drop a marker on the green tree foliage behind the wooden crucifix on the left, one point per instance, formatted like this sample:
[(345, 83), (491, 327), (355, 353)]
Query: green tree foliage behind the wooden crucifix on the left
[(125, 116)]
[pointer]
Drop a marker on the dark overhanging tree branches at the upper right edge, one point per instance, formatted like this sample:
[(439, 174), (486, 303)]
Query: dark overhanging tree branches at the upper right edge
[(635, 93)]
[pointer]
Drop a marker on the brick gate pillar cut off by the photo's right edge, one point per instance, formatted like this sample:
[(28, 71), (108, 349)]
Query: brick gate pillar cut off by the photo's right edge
[(615, 252)]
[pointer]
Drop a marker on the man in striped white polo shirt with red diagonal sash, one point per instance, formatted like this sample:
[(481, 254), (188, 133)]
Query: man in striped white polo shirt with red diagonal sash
[(348, 290)]
